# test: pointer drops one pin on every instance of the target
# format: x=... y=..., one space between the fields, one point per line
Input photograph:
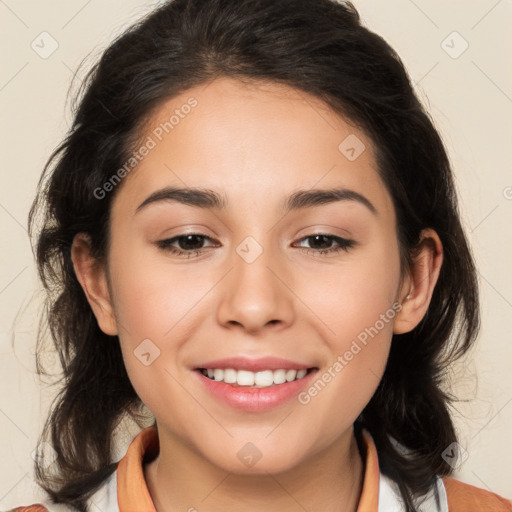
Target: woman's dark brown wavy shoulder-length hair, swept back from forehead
x=316 y=46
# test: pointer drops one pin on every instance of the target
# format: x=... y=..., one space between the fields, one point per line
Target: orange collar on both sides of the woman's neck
x=133 y=494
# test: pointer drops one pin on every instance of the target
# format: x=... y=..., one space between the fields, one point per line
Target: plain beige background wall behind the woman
x=469 y=97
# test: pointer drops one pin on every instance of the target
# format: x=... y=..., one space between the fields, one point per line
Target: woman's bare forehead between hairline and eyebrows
x=253 y=142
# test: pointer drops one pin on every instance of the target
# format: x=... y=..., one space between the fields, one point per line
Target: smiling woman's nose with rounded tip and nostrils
x=256 y=293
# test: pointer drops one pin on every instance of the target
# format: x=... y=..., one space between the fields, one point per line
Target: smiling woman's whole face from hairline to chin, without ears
x=278 y=284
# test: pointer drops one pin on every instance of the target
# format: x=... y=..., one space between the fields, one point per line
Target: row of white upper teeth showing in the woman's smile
x=263 y=379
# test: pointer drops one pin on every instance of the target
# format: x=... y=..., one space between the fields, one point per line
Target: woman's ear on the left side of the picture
x=92 y=277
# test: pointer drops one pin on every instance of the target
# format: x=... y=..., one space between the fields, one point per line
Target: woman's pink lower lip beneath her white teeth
x=255 y=399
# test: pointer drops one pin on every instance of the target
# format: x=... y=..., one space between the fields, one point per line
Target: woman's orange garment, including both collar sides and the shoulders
x=133 y=494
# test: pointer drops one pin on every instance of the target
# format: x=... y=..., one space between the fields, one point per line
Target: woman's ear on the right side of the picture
x=418 y=286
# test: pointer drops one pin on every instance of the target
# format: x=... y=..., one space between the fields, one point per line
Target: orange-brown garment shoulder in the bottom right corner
x=467 y=498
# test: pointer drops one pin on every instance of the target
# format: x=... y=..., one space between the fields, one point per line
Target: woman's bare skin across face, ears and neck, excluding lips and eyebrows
x=256 y=144
